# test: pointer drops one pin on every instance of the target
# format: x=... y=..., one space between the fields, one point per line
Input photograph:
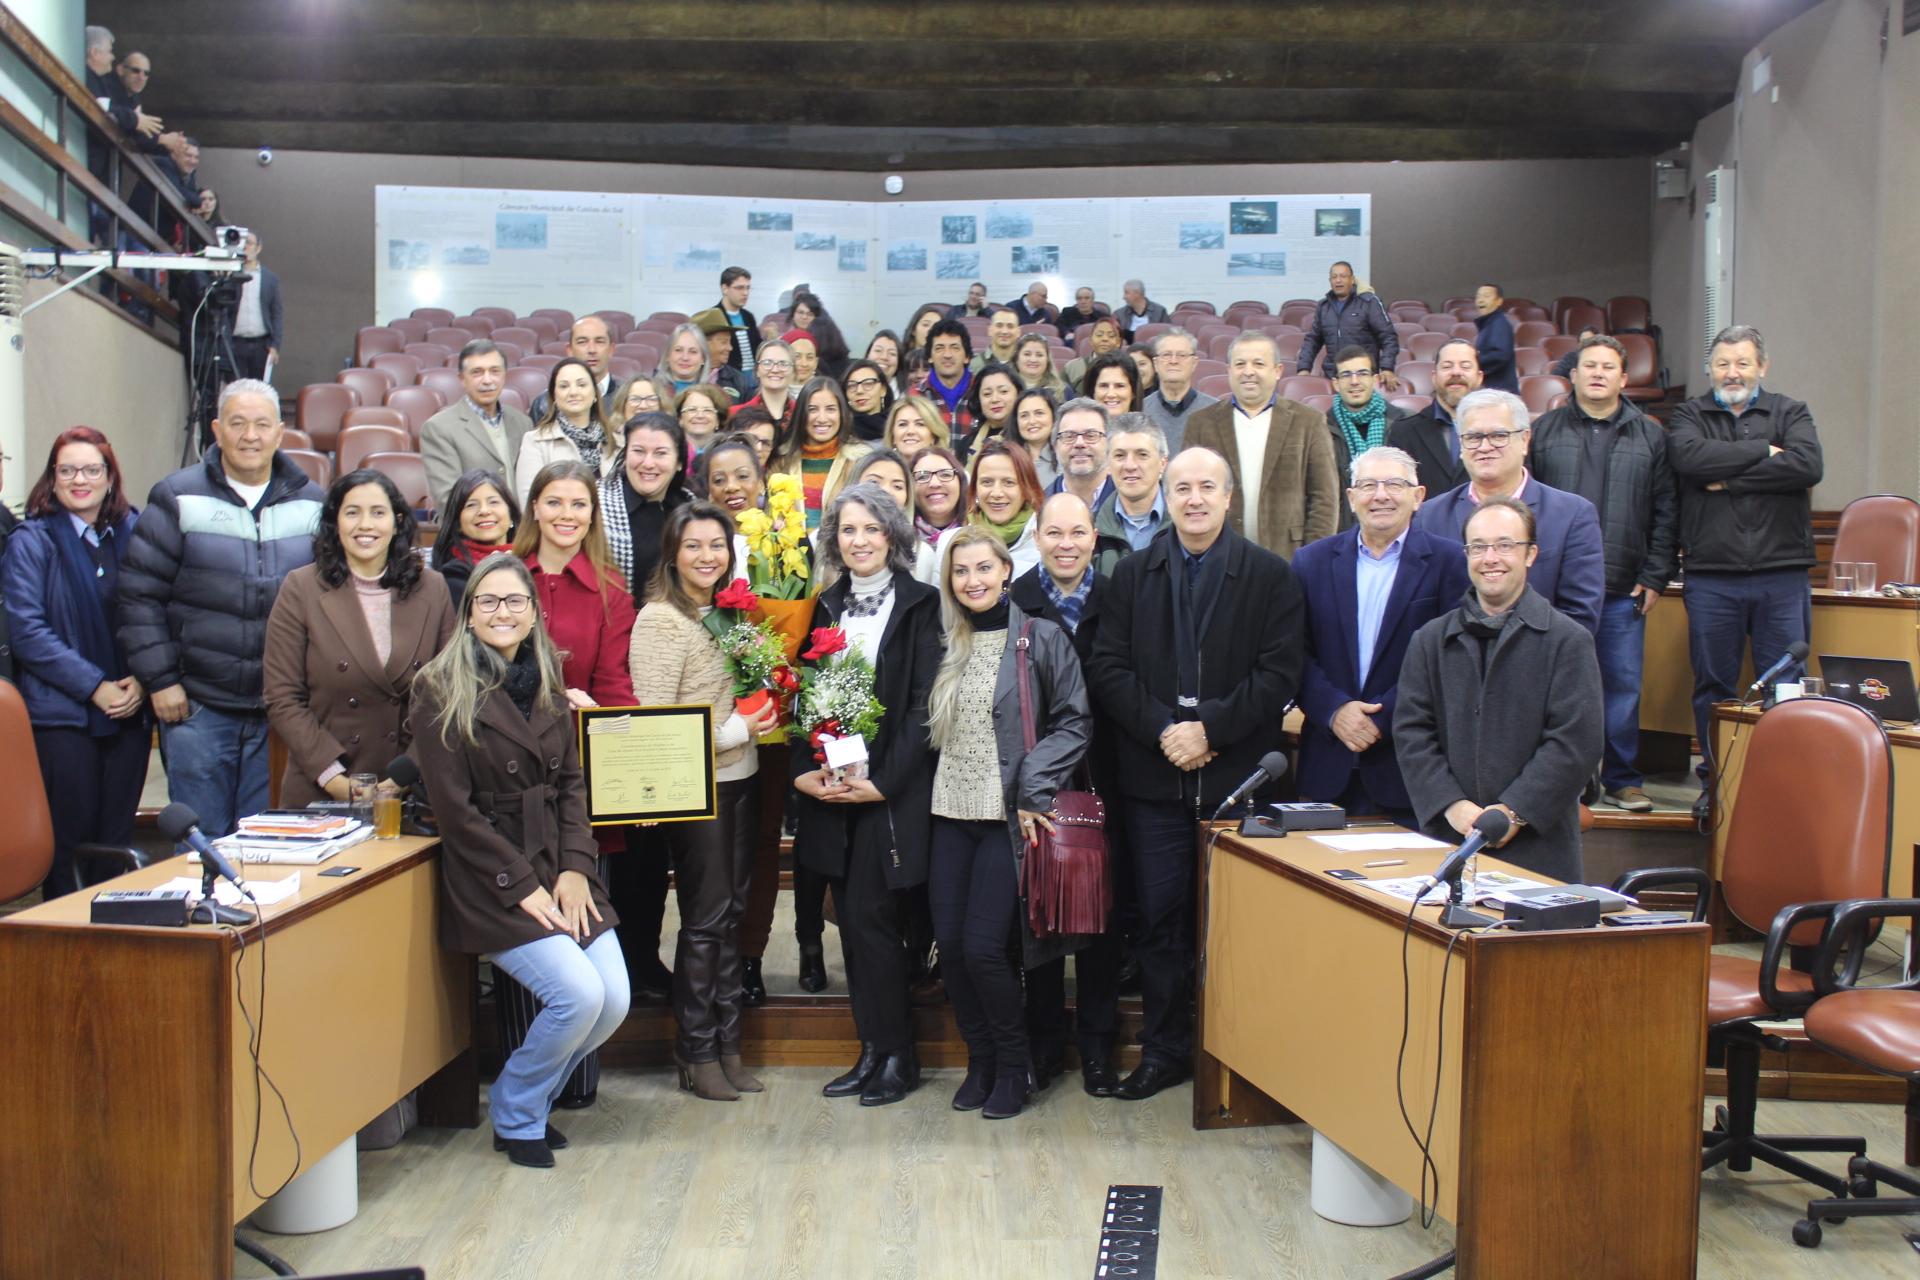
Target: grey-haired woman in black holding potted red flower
x=865 y=828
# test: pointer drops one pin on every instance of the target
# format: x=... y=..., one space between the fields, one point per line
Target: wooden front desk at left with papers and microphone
x=132 y=1108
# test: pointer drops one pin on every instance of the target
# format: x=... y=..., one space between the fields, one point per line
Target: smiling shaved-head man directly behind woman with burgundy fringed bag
x=1067 y=590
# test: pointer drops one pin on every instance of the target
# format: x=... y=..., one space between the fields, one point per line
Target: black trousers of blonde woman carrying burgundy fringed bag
x=974 y=895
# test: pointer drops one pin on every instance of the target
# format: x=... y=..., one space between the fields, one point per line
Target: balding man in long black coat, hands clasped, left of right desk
x=1203 y=640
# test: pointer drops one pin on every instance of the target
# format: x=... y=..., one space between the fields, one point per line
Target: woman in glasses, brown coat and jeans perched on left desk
x=519 y=872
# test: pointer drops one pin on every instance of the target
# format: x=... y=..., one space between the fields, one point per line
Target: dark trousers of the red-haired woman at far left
x=93 y=790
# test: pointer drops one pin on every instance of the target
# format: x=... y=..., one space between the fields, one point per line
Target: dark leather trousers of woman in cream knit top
x=713 y=876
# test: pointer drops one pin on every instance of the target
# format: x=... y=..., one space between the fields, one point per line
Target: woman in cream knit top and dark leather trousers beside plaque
x=677 y=659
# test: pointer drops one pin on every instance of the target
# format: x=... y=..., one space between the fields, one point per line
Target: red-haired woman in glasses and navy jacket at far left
x=87 y=711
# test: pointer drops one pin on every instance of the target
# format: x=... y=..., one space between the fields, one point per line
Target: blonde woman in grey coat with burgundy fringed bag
x=992 y=797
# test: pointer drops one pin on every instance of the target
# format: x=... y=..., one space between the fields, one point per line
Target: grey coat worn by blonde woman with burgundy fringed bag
x=1063 y=730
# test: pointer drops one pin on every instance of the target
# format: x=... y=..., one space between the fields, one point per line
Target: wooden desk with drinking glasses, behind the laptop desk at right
x=1860 y=627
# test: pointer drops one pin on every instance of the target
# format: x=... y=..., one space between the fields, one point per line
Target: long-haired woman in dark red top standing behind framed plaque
x=588 y=613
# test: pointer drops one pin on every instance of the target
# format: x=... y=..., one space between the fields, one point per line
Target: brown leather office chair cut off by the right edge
x=1877 y=1028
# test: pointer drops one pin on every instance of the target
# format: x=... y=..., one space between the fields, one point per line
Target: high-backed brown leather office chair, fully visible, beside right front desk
x=1788 y=868
